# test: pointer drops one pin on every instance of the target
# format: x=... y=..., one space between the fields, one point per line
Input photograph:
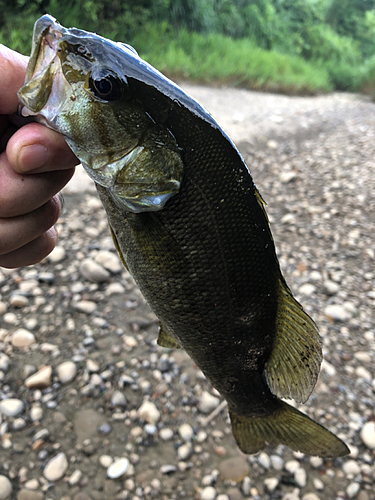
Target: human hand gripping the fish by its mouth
x=35 y=164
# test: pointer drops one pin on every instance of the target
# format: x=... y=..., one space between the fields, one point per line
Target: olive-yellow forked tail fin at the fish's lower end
x=286 y=426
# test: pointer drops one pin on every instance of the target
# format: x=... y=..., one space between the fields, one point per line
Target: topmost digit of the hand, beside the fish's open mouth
x=12 y=75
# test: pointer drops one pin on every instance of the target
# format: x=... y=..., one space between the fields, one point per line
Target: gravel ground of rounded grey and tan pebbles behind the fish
x=92 y=409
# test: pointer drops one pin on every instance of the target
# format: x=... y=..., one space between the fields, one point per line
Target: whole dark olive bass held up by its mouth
x=190 y=226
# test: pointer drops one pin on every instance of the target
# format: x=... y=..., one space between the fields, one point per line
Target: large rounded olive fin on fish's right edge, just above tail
x=293 y=366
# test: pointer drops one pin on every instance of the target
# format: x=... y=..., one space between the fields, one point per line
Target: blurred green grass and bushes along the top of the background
x=299 y=46
